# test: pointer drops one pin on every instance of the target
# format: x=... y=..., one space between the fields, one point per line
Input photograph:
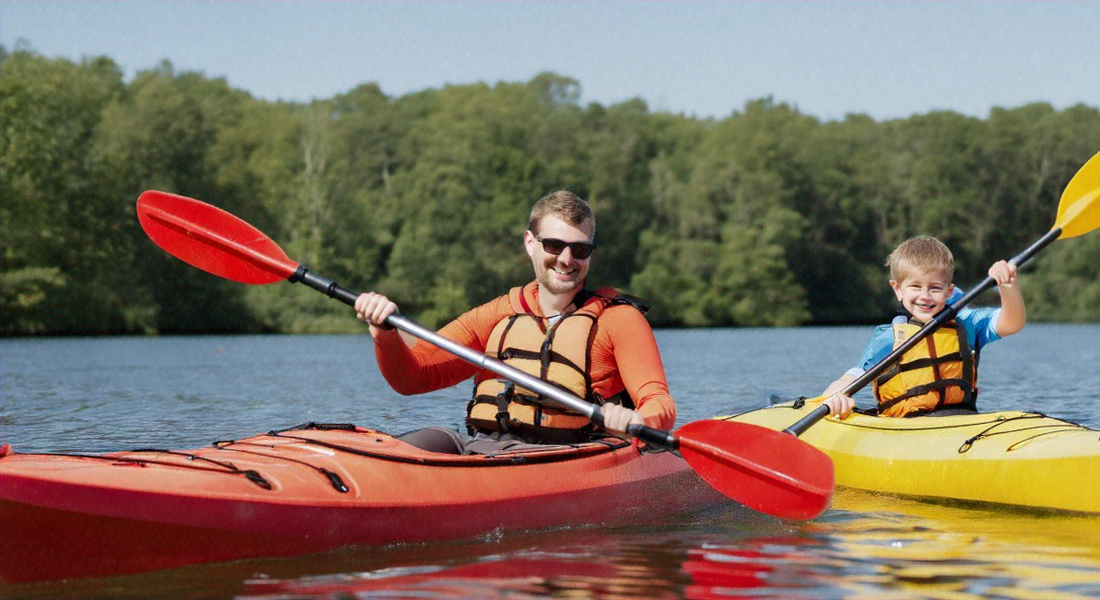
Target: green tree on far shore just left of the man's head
x=465 y=199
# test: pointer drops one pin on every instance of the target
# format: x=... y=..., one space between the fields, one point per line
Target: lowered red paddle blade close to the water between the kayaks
x=771 y=472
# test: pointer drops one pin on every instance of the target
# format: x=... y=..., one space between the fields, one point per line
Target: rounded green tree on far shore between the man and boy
x=739 y=219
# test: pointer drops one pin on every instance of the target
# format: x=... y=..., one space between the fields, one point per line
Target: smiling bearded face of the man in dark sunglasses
x=559 y=274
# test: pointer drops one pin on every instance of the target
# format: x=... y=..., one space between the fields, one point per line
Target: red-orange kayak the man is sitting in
x=307 y=490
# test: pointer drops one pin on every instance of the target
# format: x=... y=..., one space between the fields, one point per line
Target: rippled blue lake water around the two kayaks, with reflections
x=118 y=394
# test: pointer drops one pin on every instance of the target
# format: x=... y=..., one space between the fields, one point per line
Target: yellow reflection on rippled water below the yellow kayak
x=929 y=551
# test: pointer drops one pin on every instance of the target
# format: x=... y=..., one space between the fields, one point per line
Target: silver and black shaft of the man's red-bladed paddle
x=558 y=396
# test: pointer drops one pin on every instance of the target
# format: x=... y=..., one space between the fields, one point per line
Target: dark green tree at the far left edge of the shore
x=65 y=246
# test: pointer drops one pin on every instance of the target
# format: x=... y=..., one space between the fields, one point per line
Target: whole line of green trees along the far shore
x=768 y=217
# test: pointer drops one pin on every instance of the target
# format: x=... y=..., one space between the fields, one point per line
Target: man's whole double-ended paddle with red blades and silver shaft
x=762 y=468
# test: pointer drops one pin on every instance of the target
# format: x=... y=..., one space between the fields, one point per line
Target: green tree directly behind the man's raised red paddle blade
x=157 y=136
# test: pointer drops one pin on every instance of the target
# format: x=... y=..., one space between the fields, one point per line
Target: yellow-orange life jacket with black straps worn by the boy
x=941 y=372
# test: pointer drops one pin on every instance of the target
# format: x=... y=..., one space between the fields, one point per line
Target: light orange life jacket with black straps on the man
x=560 y=355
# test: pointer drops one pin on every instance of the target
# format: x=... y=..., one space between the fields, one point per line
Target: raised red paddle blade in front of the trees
x=212 y=239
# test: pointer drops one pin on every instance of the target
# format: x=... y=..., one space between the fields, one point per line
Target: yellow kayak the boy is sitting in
x=1015 y=459
